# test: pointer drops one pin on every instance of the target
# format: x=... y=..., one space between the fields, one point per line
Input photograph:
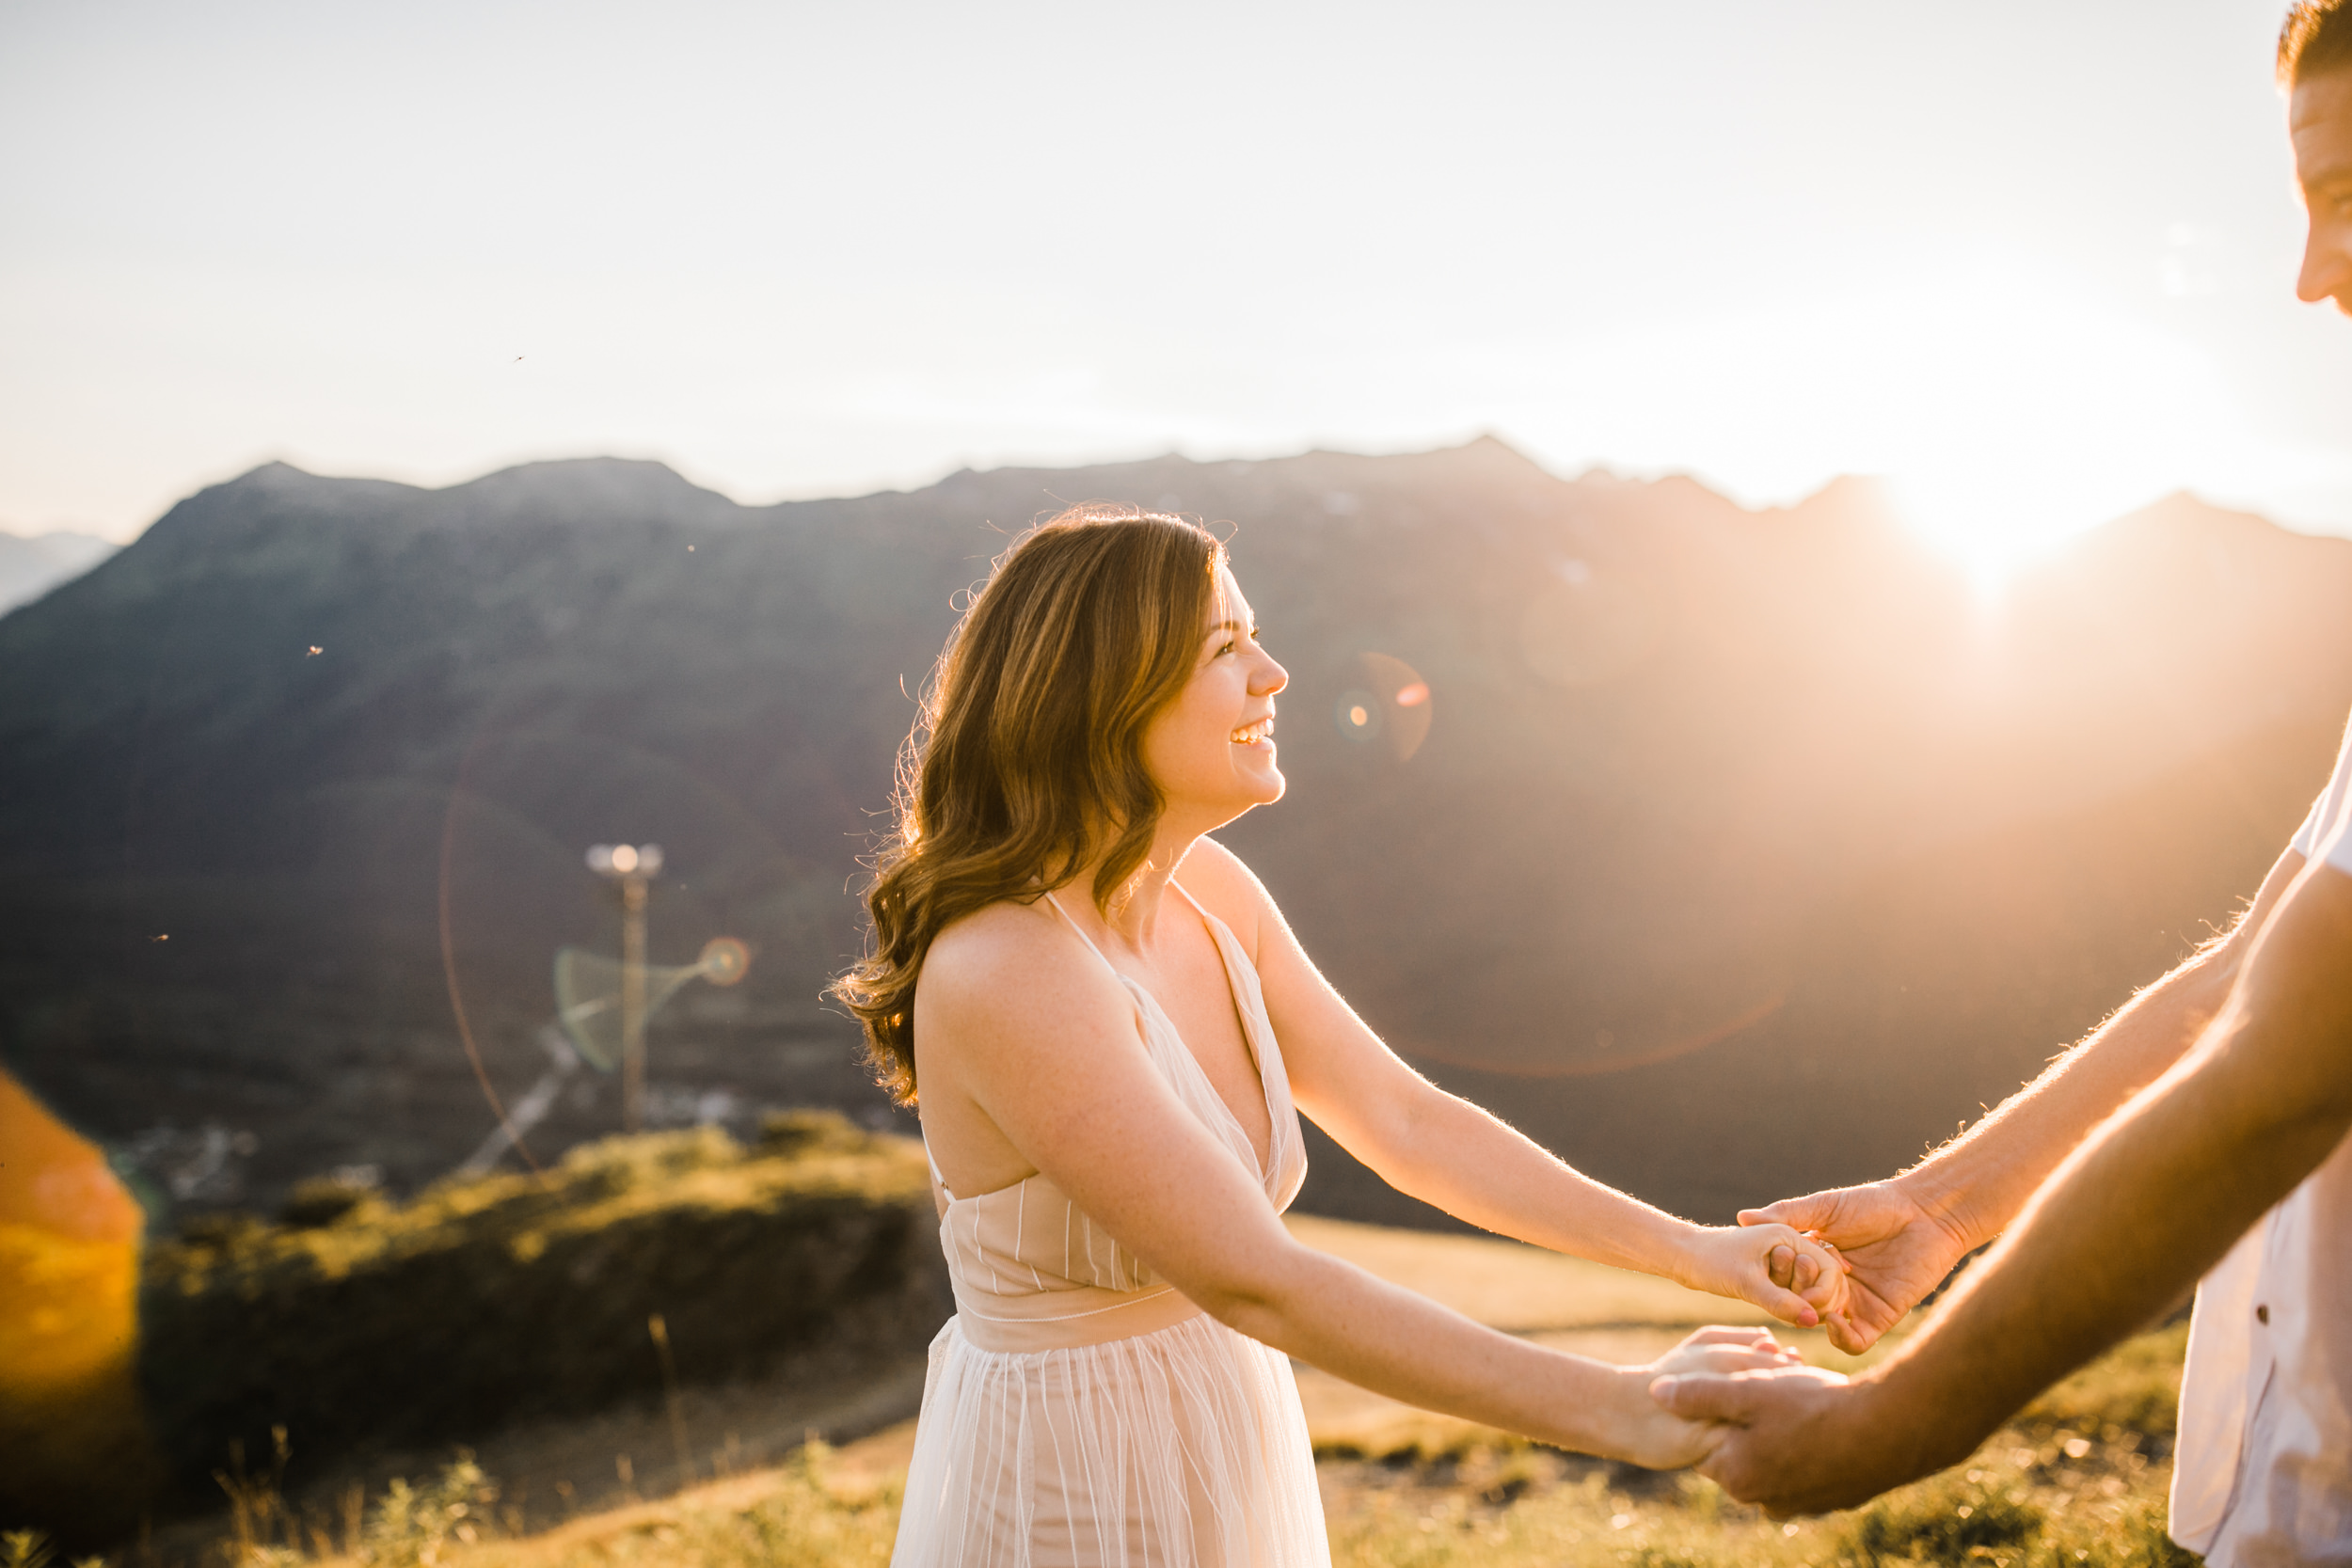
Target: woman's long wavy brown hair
x=1027 y=758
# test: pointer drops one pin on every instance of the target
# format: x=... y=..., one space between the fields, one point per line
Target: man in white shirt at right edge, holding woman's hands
x=2236 y=1090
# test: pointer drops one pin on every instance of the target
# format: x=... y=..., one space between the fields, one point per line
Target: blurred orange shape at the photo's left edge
x=69 y=1327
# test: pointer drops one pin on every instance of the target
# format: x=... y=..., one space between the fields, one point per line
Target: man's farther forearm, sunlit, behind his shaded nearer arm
x=1984 y=1179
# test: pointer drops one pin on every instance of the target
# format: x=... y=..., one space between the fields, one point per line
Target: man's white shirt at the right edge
x=2264 y=1470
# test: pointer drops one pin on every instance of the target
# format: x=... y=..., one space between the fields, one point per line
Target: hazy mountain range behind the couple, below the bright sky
x=1744 y=852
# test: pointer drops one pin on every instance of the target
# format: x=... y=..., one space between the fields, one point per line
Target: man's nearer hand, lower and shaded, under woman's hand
x=1798 y=1442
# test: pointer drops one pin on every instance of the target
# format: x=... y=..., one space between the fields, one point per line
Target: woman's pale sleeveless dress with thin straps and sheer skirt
x=1081 y=1412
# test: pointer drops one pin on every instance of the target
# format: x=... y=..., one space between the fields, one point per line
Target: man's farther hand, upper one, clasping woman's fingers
x=1895 y=1252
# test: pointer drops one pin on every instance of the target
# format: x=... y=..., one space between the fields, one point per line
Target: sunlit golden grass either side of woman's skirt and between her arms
x=2076 y=1482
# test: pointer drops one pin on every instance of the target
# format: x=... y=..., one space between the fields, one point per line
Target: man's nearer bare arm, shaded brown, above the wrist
x=2156 y=1198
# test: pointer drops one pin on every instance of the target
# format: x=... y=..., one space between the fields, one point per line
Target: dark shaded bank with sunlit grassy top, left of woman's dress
x=366 y=1325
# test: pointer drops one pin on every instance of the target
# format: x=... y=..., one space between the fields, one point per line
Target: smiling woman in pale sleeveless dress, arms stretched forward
x=1111 y=1026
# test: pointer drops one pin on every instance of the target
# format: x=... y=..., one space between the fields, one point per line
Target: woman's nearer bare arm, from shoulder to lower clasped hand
x=1022 y=1026
